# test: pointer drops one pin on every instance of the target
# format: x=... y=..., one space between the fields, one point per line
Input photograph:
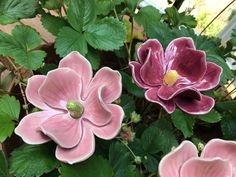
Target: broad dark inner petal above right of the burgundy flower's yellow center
x=190 y=64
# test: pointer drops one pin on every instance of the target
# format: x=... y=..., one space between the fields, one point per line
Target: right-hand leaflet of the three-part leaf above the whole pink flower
x=106 y=34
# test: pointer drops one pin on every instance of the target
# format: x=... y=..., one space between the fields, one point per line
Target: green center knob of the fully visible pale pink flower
x=75 y=108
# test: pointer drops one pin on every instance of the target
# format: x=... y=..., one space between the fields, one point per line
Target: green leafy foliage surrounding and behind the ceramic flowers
x=108 y=34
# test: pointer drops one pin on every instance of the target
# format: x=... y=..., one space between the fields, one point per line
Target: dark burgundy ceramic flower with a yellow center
x=177 y=76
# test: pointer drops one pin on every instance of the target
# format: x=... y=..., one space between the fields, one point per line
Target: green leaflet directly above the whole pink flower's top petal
x=69 y=40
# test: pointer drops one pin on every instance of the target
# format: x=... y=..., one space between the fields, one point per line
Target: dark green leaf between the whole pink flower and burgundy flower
x=131 y=87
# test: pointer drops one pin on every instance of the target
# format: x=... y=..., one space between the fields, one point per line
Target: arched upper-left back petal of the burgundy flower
x=153 y=45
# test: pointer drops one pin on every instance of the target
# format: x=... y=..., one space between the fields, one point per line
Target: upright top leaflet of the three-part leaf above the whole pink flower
x=81 y=13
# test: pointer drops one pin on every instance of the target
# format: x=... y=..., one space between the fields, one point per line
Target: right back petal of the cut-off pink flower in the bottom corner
x=223 y=149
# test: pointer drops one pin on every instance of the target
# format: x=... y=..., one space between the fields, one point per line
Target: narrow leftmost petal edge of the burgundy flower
x=135 y=68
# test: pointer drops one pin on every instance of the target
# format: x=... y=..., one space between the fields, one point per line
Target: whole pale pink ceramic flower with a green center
x=74 y=106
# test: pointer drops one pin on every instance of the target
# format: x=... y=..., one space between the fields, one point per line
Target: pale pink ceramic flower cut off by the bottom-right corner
x=217 y=160
